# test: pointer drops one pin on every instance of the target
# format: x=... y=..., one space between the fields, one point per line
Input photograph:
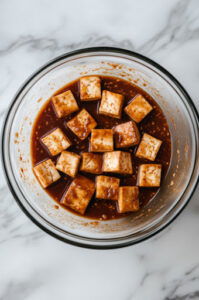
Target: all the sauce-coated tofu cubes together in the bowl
x=105 y=149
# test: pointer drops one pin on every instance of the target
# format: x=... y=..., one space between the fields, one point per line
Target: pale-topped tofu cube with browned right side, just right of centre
x=117 y=162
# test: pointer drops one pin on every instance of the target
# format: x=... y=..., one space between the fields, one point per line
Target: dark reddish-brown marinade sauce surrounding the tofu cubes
x=154 y=124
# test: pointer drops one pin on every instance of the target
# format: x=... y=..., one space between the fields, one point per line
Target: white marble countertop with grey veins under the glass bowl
x=36 y=266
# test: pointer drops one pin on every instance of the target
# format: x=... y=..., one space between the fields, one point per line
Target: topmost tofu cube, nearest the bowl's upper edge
x=90 y=88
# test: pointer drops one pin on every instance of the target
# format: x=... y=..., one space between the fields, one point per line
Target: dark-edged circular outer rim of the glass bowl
x=42 y=68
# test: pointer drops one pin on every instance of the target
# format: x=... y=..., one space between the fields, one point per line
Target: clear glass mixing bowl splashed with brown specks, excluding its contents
x=177 y=187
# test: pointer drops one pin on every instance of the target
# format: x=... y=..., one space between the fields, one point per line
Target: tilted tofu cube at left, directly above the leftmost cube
x=56 y=141
